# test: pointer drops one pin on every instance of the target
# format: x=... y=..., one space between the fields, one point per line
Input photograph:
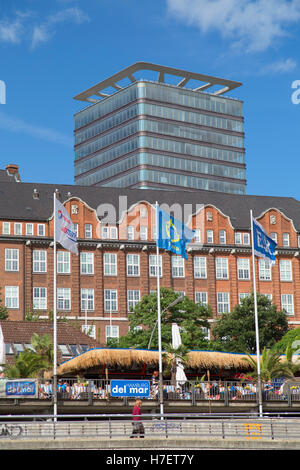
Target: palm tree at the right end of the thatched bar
x=271 y=366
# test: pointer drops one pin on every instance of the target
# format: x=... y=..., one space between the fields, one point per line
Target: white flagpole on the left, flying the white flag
x=54 y=316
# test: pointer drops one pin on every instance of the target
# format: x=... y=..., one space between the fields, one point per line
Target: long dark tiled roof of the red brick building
x=17 y=202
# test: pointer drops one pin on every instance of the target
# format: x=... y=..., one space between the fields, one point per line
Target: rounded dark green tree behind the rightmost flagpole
x=235 y=331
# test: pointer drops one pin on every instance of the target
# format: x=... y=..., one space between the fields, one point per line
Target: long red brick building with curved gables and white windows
x=117 y=265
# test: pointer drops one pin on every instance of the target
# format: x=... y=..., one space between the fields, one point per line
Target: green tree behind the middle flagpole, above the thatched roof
x=190 y=317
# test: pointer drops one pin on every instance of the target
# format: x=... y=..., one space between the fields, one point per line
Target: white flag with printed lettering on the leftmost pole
x=65 y=233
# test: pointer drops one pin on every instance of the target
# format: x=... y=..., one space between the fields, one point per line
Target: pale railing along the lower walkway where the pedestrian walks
x=155 y=426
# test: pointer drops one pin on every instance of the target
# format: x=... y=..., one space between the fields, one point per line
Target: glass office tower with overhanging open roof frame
x=150 y=134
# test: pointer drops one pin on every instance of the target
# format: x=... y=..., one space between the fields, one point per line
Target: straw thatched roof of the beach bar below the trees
x=126 y=357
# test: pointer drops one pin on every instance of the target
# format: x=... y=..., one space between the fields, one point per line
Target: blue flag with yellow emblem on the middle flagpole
x=172 y=235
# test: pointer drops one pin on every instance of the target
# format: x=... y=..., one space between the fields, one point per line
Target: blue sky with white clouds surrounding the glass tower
x=52 y=50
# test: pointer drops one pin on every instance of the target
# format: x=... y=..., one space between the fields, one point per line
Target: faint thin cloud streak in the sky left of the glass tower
x=12 y=124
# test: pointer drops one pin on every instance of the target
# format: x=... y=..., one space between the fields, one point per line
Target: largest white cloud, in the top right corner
x=252 y=25
